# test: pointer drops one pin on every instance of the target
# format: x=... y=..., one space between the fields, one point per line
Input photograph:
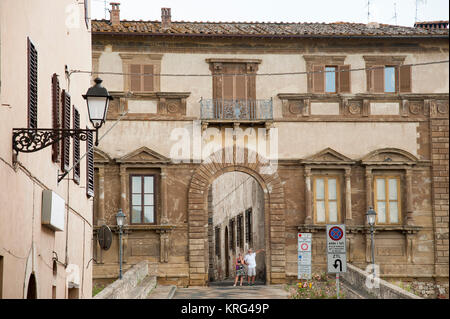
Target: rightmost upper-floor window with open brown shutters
x=387 y=74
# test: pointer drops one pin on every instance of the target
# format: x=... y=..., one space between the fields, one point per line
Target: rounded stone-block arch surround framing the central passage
x=221 y=162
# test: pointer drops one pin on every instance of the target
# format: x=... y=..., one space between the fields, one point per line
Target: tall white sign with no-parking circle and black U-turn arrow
x=336 y=249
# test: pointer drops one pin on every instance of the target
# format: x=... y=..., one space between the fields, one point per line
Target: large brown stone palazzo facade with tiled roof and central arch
x=329 y=119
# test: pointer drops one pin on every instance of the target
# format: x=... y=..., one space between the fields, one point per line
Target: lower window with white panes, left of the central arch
x=142 y=199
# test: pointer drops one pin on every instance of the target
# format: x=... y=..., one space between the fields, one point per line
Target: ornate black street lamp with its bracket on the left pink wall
x=29 y=140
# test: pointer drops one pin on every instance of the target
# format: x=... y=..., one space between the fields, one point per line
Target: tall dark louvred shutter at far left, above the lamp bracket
x=32 y=85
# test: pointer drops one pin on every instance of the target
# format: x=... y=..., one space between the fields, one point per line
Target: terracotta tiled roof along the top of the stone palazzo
x=263 y=29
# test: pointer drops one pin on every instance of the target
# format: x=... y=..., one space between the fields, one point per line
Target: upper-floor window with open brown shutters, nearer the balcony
x=328 y=74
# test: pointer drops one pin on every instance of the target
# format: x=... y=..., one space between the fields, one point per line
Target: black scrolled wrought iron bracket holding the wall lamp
x=29 y=140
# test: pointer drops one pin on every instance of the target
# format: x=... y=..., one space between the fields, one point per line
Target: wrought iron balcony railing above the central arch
x=219 y=109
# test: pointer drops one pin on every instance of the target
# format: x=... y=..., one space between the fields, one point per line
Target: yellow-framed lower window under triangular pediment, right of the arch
x=326 y=199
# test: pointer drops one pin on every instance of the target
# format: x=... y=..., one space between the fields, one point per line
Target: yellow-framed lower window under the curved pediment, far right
x=387 y=199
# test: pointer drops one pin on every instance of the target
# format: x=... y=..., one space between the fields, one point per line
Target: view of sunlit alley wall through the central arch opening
x=236 y=223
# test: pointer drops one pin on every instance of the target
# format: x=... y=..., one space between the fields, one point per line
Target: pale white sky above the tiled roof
x=279 y=10
